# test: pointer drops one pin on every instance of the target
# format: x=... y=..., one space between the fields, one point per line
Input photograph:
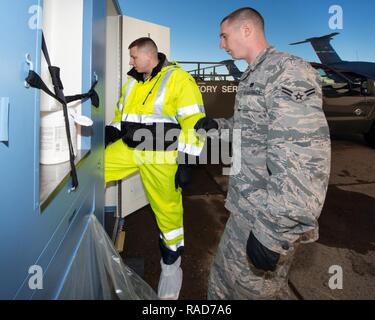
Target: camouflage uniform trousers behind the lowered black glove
x=233 y=276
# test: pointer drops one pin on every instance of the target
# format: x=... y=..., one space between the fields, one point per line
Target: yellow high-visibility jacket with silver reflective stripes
x=169 y=96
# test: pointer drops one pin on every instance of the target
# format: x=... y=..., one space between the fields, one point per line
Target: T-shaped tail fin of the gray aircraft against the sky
x=322 y=46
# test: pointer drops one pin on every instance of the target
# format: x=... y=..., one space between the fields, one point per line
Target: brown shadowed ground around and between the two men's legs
x=347 y=232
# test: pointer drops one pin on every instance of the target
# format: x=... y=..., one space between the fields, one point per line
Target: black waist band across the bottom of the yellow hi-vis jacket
x=151 y=137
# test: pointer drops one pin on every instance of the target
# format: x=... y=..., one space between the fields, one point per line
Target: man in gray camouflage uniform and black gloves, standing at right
x=277 y=195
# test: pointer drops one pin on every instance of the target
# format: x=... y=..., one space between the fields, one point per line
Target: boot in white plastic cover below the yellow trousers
x=170 y=281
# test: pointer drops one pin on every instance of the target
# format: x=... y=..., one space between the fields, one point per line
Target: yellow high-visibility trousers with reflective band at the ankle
x=157 y=170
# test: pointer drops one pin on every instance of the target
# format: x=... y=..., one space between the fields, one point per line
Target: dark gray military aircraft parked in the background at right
x=328 y=56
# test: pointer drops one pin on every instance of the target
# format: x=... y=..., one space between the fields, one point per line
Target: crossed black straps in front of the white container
x=34 y=80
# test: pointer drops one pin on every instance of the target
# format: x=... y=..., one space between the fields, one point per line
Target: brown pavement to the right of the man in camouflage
x=347 y=230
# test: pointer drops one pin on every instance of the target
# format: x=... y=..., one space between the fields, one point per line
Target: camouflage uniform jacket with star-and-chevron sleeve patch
x=284 y=153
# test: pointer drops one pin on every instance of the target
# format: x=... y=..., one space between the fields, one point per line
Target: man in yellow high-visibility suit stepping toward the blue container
x=153 y=127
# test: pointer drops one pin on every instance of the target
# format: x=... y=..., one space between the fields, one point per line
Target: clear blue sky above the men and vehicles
x=194 y=25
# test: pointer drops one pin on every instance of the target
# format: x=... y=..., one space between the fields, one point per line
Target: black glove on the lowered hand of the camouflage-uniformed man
x=261 y=257
